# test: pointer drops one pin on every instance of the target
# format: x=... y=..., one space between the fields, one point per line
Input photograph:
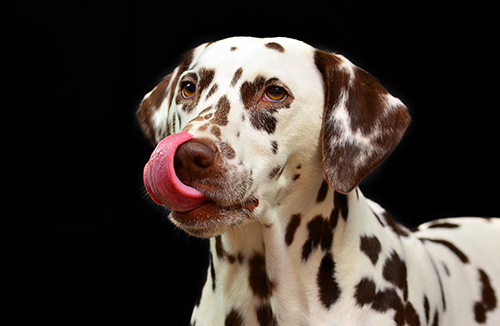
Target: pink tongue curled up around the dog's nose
x=162 y=183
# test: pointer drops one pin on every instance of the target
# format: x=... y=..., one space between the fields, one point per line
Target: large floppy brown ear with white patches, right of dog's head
x=362 y=122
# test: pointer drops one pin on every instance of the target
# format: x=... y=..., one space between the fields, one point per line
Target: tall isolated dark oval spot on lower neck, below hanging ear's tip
x=329 y=290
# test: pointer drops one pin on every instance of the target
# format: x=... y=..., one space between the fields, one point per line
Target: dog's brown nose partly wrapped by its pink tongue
x=193 y=160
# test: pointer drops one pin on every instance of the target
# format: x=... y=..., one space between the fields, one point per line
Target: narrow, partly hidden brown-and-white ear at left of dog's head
x=153 y=112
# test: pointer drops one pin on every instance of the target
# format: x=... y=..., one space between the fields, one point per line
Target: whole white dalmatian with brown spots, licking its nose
x=260 y=146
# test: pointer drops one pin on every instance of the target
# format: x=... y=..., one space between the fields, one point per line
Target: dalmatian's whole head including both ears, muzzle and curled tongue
x=263 y=116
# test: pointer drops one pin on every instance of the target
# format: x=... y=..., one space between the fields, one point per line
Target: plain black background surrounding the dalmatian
x=108 y=255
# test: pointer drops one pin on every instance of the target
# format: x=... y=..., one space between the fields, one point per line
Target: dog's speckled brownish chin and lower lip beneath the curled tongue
x=211 y=219
